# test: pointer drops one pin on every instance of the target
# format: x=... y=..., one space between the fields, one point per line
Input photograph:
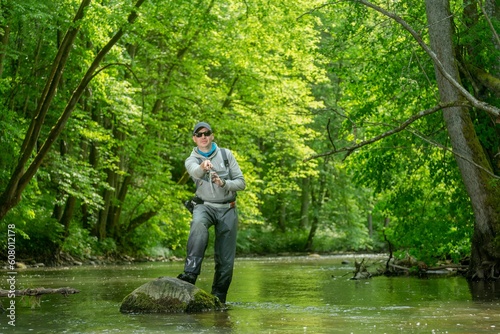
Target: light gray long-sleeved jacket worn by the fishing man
x=209 y=191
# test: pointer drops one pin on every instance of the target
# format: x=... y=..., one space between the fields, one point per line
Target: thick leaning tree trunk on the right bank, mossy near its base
x=475 y=169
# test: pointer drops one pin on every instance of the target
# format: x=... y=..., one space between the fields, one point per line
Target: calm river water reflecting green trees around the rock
x=268 y=295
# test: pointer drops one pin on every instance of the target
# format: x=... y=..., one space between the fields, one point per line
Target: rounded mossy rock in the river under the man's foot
x=169 y=295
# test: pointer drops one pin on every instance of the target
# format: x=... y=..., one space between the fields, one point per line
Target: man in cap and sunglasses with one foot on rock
x=218 y=177
